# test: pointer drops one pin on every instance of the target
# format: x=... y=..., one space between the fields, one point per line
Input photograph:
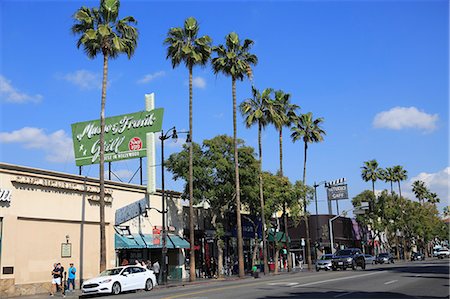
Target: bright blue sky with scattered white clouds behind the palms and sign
x=376 y=71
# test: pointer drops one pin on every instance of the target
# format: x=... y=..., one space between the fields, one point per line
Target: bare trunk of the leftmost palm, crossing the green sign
x=102 y=167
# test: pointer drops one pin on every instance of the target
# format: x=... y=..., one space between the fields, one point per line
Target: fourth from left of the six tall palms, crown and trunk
x=258 y=110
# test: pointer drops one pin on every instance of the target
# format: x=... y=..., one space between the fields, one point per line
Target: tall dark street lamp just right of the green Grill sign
x=171 y=133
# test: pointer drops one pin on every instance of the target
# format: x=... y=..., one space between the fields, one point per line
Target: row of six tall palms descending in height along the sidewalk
x=102 y=32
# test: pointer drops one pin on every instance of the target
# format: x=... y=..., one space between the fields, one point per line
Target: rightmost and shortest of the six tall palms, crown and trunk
x=309 y=130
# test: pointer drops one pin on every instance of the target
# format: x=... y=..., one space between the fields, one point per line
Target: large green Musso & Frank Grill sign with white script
x=125 y=136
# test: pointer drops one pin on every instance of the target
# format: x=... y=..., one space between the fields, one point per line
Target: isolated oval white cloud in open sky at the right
x=405 y=117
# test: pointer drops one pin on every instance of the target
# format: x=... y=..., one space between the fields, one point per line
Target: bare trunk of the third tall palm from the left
x=238 y=189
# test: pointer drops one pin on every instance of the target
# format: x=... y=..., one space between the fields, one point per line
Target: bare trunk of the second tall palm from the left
x=191 y=188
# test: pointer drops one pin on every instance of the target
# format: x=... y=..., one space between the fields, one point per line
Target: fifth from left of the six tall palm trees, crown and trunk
x=285 y=117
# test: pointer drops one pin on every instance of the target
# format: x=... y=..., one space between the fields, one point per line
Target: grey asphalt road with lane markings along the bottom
x=427 y=279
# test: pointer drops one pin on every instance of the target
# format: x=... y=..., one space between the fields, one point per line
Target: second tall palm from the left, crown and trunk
x=184 y=46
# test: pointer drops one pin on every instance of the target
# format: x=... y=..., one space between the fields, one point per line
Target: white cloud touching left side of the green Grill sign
x=57 y=146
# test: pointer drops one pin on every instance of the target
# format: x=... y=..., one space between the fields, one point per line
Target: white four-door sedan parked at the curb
x=120 y=279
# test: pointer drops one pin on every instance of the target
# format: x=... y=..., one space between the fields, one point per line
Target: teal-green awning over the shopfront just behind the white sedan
x=137 y=241
